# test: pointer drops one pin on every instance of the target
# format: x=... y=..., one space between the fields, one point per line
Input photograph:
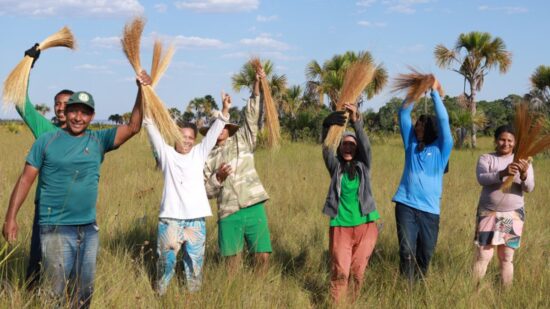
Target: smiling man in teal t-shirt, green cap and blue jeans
x=68 y=162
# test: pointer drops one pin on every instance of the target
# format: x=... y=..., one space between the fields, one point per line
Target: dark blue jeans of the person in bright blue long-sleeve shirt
x=417 y=234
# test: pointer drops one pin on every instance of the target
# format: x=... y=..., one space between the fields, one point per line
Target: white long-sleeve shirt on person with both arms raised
x=184 y=195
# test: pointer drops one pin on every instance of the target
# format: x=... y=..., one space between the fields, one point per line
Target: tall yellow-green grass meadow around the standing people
x=297 y=181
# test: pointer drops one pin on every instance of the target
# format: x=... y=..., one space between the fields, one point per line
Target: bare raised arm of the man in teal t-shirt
x=126 y=131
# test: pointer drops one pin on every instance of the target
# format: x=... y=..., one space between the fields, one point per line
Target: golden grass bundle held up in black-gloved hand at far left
x=15 y=85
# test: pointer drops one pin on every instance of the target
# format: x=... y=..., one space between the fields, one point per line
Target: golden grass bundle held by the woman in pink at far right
x=530 y=138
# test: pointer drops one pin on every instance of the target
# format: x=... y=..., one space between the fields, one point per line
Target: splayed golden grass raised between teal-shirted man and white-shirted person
x=153 y=105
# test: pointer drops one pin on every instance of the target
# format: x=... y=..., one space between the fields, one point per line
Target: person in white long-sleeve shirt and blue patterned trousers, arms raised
x=184 y=203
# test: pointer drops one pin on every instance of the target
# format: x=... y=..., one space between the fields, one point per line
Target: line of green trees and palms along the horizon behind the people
x=302 y=109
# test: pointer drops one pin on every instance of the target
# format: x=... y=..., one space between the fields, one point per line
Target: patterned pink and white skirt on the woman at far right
x=499 y=228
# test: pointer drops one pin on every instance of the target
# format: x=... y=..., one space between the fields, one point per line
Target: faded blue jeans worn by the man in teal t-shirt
x=69 y=259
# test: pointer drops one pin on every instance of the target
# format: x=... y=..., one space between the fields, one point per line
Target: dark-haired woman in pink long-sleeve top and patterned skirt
x=500 y=215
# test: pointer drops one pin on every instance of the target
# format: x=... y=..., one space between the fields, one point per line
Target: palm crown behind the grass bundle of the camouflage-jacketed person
x=247 y=76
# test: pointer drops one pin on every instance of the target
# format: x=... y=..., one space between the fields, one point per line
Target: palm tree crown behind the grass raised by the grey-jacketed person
x=329 y=78
